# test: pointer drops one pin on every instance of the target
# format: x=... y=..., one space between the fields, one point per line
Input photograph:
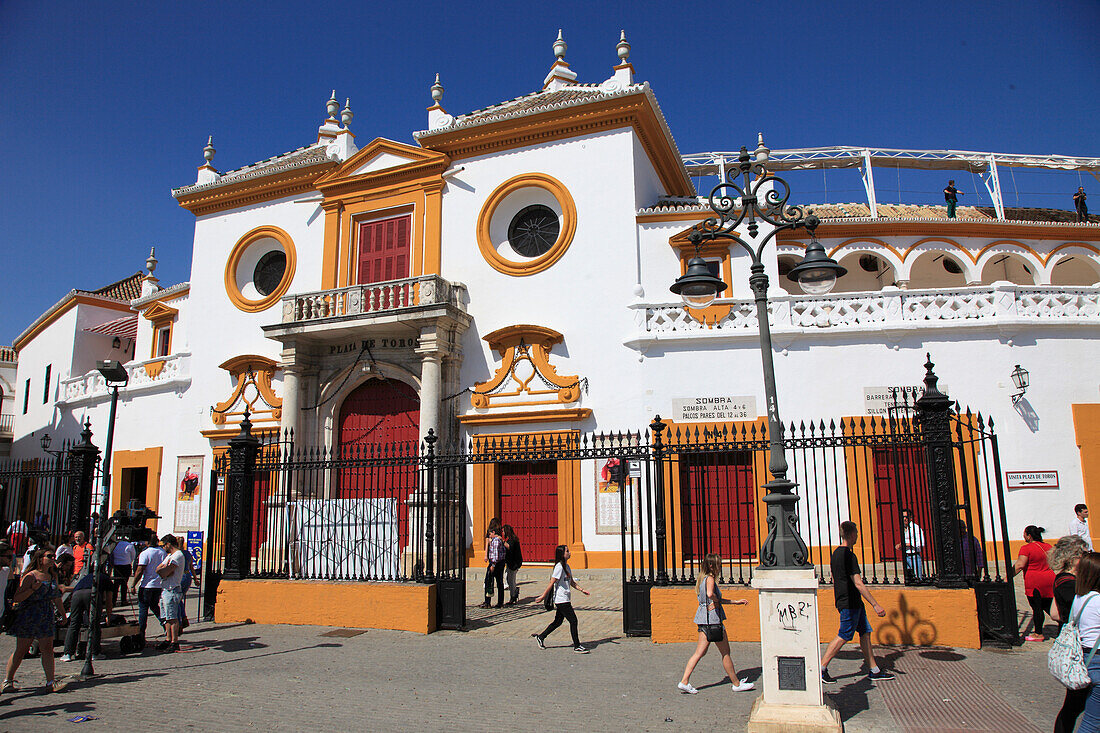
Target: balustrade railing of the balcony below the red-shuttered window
x=372 y=299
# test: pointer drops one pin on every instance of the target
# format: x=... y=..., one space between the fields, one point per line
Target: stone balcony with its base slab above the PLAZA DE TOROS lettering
x=327 y=315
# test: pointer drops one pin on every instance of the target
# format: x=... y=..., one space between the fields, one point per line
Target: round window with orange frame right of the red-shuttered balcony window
x=526 y=225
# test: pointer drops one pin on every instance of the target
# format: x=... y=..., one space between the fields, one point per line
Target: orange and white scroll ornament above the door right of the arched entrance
x=526 y=376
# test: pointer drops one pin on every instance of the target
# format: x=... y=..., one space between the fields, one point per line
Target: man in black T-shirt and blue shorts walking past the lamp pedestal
x=850 y=592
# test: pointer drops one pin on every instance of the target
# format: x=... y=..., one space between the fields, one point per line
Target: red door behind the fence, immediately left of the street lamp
x=718 y=506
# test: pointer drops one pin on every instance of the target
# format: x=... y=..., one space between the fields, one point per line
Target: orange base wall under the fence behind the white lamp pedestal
x=921 y=617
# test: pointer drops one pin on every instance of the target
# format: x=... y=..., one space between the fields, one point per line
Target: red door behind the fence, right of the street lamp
x=900 y=483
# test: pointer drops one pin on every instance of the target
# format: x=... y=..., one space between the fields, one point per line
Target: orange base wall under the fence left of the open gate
x=400 y=607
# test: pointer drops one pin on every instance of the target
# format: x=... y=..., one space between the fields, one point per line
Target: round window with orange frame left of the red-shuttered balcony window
x=260 y=269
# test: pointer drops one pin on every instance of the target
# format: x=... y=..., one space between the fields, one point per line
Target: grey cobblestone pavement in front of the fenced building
x=238 y=677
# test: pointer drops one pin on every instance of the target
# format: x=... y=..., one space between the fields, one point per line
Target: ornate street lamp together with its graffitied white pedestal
x=749 y=198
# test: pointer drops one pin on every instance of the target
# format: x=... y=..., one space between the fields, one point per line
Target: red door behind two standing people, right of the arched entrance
x=530 y=504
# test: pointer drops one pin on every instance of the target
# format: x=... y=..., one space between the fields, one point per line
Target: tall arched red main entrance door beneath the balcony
x=380 y=426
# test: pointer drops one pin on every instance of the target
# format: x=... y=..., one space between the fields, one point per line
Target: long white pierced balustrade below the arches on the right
x=890 y=314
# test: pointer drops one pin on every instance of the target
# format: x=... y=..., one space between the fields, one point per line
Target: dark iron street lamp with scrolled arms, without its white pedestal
x=762 y=198
